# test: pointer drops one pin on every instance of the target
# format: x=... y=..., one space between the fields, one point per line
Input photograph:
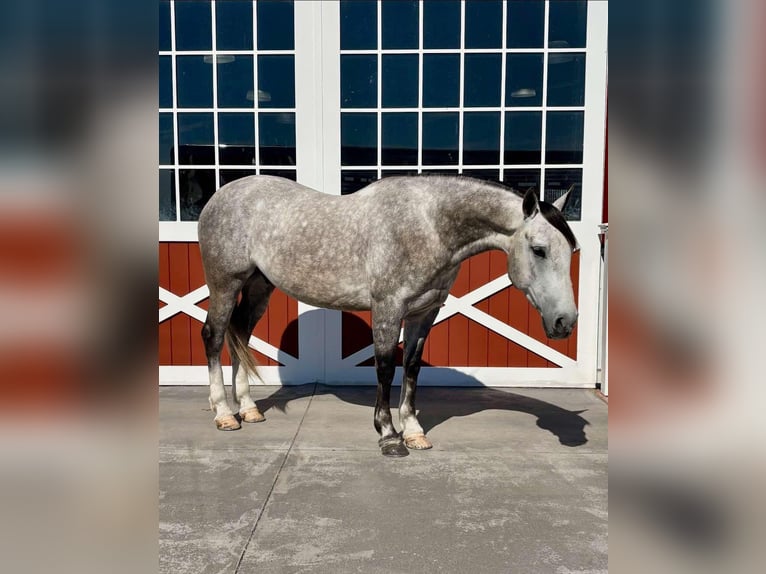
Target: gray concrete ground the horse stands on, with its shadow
x=516 y=482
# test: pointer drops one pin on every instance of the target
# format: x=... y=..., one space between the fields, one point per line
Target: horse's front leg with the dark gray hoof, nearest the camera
x=386 y=322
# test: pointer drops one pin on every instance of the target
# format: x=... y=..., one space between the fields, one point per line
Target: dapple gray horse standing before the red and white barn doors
x=394 y=248
